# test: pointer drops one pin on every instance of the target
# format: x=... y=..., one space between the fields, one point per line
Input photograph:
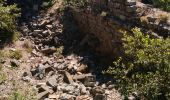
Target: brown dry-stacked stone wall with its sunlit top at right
x=106 y=19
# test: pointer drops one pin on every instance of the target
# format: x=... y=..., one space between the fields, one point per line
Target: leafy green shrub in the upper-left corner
x=8 y=16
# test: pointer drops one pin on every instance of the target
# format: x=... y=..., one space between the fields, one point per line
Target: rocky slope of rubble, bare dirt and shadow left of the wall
x=55 y=63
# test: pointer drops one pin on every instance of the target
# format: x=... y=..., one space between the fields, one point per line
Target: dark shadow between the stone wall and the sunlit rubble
x=72 y=45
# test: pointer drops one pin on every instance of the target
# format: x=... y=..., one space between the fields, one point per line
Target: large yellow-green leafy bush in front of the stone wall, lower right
x=144 y=70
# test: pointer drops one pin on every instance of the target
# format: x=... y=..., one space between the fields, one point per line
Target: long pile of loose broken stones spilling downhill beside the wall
x=59 y=77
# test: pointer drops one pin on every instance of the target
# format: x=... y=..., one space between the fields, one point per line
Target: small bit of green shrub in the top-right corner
x=164 y=4
